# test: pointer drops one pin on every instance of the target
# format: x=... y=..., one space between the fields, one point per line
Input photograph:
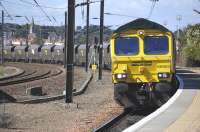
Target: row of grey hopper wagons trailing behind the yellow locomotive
x=54 y=54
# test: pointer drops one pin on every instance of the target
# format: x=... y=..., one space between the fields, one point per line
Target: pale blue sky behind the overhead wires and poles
x=165 y=11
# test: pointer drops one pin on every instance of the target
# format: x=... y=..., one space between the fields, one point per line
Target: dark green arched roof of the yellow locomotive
x=141 y=24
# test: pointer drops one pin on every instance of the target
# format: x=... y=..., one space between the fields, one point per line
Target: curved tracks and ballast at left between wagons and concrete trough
x=49 y=77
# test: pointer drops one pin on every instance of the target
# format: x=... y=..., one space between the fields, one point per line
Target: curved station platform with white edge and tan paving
x=181 y=113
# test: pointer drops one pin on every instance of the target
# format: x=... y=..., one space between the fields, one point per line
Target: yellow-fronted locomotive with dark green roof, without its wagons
x=143 y=63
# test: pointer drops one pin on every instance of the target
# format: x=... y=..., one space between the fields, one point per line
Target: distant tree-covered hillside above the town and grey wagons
x=20 y=31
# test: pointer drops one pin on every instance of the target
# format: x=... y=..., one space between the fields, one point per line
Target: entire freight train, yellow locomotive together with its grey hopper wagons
x=141 y=55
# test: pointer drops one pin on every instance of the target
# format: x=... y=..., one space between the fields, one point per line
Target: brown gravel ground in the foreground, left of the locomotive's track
x=88 y=111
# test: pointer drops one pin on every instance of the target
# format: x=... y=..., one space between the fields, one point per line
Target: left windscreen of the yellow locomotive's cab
x=126 y=46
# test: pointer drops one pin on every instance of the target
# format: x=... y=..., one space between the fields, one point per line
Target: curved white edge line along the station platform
x=150 y=117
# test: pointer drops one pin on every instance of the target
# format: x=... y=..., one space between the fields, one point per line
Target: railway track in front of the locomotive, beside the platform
x=127 y=118
